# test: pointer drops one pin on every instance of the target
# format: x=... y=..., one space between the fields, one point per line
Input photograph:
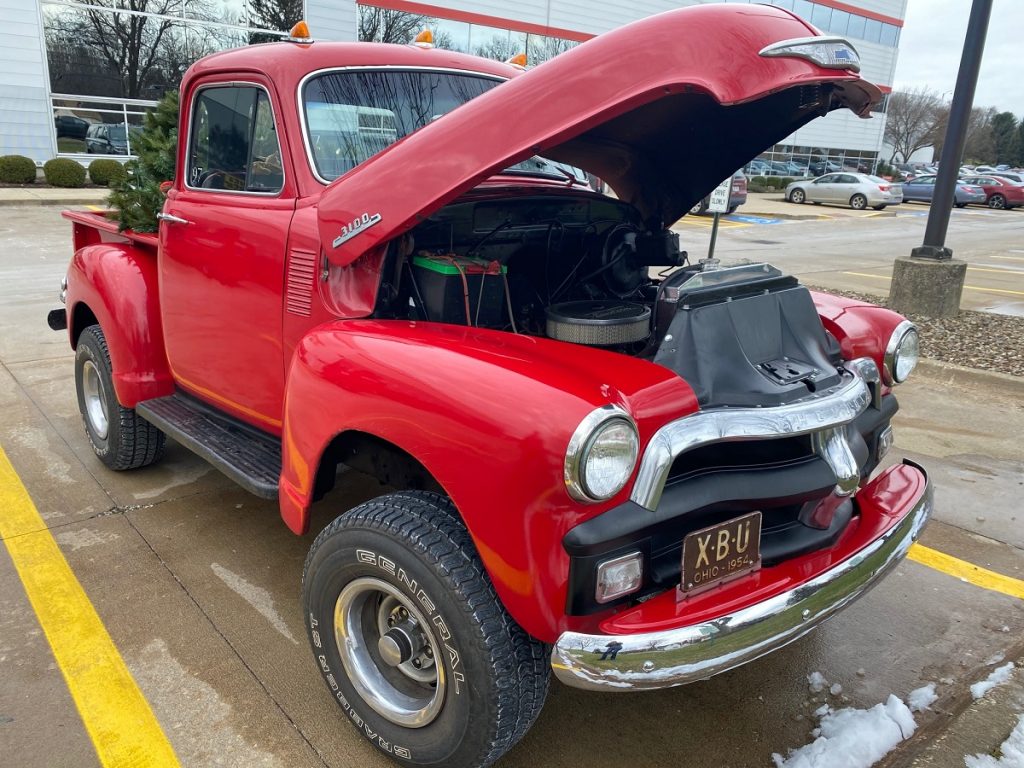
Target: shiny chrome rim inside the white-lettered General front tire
x=389 y=653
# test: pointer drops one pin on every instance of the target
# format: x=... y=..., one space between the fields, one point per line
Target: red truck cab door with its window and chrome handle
x=224 y=234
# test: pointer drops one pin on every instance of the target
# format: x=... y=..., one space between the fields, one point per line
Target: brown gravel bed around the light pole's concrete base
x=983 y=340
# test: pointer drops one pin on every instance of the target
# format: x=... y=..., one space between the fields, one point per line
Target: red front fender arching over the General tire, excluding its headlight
x=490 y=416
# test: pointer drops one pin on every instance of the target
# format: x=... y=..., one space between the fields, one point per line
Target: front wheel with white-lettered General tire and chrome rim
x=412 y=639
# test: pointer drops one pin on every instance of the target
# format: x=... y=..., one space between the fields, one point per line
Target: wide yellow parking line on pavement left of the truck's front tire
x=117 y=717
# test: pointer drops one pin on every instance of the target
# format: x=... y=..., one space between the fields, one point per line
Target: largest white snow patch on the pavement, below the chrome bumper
x=855 y=739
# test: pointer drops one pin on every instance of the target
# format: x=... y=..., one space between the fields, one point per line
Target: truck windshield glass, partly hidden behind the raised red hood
x=352 y=116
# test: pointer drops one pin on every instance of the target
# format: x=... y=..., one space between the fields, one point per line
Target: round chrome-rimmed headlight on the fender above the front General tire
x=602 y=455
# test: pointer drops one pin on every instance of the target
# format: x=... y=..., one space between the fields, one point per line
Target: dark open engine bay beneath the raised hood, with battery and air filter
x=572 y=267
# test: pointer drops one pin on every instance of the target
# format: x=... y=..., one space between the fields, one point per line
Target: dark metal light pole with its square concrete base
x=930 y=282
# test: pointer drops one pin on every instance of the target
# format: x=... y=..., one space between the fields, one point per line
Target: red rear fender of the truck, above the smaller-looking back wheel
x=118 y=283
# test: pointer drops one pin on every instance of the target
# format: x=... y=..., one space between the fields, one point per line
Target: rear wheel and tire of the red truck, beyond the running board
x=119 y=437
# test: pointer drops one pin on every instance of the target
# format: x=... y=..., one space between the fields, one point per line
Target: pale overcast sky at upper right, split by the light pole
x=932 y=42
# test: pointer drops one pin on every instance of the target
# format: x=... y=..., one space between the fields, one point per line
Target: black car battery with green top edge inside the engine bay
x=461 y=290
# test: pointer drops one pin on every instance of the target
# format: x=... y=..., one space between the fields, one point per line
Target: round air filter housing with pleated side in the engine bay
x=601 y=324
